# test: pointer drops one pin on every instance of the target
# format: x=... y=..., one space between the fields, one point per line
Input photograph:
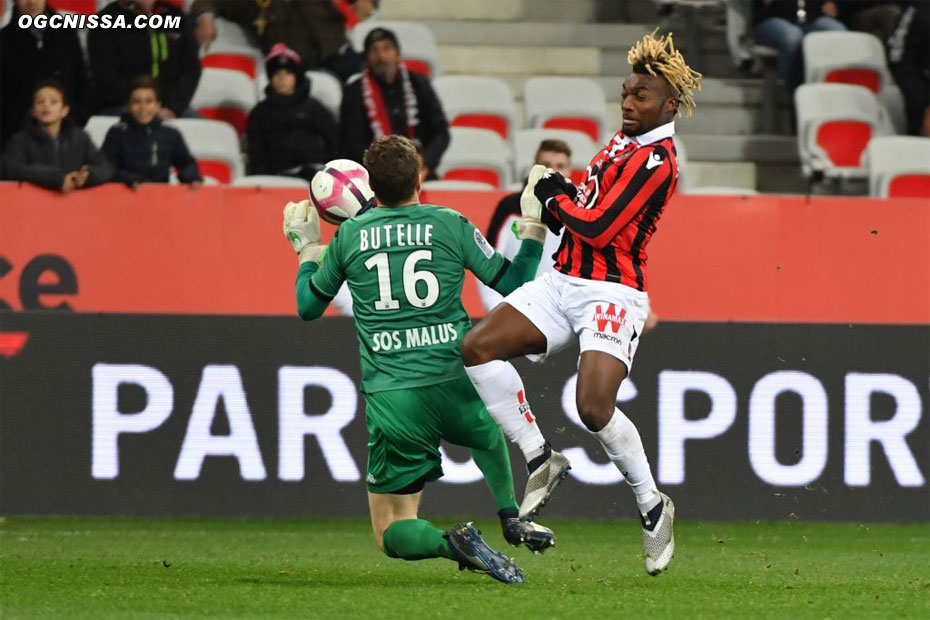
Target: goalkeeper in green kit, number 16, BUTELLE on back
x=405 y=264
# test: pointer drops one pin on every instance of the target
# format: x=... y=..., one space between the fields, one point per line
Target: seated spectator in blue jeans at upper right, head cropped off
x=782 y=24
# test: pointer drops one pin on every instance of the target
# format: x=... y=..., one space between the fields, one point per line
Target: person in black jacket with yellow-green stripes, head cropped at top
x=169 y=56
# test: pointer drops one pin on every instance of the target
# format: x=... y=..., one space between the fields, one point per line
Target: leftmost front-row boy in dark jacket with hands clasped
x=50 y=150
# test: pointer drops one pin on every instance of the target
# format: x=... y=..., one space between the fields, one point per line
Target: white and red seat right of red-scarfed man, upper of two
x=477 y=101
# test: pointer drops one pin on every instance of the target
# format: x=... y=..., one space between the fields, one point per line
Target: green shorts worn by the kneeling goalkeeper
x=405 y=427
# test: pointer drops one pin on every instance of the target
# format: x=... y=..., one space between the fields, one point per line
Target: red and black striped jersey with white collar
x=614 y=214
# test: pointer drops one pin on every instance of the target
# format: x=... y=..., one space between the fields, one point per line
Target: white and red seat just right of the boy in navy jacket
x=214 y=144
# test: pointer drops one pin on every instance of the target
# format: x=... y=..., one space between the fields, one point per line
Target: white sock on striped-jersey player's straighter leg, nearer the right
x=624 y=447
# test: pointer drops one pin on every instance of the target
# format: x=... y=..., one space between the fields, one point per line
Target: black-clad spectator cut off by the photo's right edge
x=909 y=59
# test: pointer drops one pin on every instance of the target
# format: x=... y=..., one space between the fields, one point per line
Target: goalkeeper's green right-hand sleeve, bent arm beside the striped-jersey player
x=492 y=268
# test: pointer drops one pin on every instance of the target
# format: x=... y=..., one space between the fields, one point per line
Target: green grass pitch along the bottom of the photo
x=147 y=568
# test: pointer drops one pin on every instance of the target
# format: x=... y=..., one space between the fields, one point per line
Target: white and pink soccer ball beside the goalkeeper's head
x=340 y=190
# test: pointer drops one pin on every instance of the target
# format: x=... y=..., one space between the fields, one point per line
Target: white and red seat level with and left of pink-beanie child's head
x=225 y=95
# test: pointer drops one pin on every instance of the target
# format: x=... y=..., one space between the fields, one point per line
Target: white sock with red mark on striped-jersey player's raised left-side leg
x=500 y=387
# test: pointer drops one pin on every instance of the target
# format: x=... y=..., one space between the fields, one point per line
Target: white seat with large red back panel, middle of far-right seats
x=835 y=123
